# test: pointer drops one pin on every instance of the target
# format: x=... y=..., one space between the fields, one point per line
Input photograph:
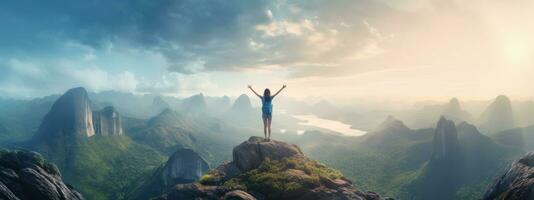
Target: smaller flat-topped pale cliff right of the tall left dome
x=107 y=122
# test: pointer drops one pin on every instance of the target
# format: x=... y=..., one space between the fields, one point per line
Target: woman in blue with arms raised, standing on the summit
x=267 y=109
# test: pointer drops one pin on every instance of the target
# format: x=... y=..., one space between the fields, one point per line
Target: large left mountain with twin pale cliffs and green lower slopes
x=94 y=155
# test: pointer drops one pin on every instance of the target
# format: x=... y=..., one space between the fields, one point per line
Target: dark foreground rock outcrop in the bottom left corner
x=25 y=175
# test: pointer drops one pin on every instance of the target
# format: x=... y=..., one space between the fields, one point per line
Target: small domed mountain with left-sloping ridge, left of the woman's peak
x=184 y=166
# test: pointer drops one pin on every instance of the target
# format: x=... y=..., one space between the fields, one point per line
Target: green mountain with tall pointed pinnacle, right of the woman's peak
x=462 y=164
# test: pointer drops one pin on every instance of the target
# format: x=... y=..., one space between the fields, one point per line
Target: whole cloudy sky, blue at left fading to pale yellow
x=339 y=49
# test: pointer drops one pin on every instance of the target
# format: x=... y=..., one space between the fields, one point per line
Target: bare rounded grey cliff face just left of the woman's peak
x=184 y=166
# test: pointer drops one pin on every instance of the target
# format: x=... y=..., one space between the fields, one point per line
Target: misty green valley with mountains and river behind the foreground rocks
x=106 y=154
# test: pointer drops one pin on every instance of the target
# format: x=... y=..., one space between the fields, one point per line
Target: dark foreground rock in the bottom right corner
x=517 y=183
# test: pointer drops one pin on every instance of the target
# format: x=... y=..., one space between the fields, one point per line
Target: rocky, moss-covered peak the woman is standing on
x=270 y=170
